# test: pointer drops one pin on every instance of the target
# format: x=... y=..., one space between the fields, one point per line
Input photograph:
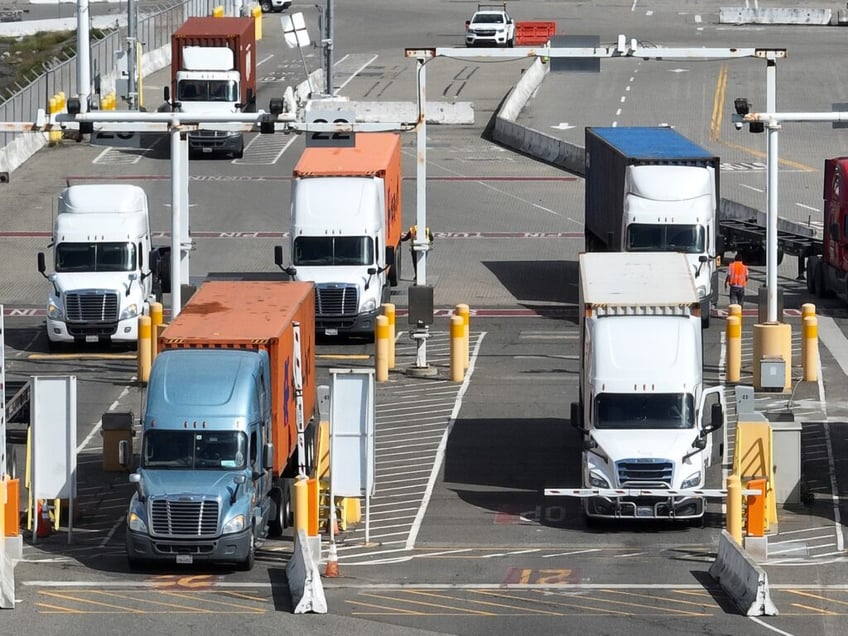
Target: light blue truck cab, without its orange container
x=205 y=466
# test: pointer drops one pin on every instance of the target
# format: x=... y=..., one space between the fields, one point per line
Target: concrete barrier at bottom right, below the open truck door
x=741 y=578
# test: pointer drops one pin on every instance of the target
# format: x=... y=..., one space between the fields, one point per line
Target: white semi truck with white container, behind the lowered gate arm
x=643 y=409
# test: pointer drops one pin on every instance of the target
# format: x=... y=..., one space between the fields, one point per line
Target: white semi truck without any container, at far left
x=103 y=277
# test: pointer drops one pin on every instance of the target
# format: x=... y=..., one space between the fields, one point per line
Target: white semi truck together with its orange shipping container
x=345 y=230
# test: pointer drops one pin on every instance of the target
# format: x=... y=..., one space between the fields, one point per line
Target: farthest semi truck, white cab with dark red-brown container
x=213 y=70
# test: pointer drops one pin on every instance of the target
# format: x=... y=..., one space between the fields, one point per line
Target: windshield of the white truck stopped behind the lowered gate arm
x=644 y=411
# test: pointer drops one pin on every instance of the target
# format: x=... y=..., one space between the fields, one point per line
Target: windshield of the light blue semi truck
x=193 y=449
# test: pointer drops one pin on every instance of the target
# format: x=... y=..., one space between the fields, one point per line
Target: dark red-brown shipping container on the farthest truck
x=239 y=34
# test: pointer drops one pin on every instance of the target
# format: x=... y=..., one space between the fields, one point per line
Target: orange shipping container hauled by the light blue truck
x=257 y=315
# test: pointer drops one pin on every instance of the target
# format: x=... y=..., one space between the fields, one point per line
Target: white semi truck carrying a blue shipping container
x=650 y=189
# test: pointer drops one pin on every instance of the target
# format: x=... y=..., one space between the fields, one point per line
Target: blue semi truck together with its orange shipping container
x=221 y=441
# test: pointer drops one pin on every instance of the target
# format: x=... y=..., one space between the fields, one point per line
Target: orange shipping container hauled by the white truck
x=375 y=155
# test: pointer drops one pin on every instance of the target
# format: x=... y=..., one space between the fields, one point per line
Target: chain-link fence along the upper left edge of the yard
x=155 y=26
